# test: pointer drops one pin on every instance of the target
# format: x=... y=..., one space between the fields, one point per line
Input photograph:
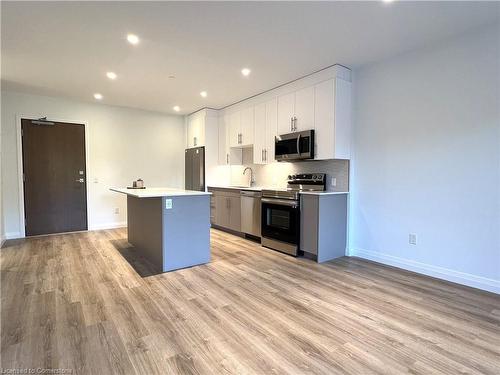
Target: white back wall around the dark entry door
x=123 y=145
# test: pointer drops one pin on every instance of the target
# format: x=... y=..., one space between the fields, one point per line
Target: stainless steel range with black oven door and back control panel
x=281 y=212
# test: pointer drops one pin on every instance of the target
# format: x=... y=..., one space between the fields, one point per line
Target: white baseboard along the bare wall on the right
x=458 y=277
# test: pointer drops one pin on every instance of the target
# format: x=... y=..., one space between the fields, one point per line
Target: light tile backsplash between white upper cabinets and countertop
x=275 y=174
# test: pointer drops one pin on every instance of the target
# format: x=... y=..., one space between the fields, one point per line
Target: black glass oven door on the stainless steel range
x=281 y=220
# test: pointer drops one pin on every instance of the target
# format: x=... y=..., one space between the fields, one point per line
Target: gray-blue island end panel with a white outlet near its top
x=186 y=231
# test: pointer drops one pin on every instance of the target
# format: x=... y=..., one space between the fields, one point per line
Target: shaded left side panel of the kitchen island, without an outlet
x=144 y=221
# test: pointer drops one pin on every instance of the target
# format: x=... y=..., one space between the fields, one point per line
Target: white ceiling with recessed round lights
x=65 y=49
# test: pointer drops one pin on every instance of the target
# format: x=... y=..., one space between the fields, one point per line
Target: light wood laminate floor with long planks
x=74 y=301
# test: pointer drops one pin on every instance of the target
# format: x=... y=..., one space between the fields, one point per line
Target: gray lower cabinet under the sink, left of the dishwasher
x=225 y=210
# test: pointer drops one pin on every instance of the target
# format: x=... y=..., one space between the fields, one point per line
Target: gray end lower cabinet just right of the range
x=323 y=225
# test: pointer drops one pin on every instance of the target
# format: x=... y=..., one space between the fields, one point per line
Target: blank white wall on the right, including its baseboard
x=426 y=160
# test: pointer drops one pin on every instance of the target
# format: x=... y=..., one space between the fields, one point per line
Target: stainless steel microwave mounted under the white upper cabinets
x=294 y=146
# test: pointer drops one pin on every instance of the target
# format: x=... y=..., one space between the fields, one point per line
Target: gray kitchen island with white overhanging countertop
x=170 y=227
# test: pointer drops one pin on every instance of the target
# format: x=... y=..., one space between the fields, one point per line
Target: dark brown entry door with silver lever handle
x=55 y=198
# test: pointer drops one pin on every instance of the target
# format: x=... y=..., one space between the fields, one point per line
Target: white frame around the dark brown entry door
x=19 y=117
